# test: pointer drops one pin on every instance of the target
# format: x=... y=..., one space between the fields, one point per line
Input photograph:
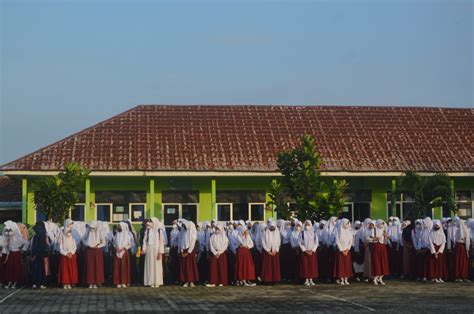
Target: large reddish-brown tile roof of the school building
x=247 y=138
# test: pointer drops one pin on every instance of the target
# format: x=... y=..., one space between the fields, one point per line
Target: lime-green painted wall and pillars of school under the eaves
x=153 y=186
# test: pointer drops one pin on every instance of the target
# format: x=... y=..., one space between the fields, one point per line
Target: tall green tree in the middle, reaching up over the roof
x=314 y=197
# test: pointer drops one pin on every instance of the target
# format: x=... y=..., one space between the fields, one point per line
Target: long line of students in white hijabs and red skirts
x=238 y=252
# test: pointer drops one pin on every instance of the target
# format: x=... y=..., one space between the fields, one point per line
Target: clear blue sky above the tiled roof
x=66 y=65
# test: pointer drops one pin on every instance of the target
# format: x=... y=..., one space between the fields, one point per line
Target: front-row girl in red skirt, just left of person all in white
x=122 y=242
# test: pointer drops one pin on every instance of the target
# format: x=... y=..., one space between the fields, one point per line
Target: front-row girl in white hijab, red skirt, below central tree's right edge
x=343 y=262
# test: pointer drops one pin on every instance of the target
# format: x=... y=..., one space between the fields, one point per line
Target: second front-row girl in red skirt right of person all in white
x=218 y=245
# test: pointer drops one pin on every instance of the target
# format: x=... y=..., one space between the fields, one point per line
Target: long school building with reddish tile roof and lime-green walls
x=217 y=162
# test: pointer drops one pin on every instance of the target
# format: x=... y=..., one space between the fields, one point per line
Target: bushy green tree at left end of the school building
x=55 y=195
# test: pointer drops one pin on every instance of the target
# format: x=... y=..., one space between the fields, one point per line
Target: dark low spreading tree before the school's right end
x=428 y=192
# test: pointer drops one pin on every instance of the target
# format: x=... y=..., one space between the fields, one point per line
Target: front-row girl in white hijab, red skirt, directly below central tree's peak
x=308 y=243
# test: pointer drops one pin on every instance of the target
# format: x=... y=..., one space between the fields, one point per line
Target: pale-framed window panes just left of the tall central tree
x=241 y=211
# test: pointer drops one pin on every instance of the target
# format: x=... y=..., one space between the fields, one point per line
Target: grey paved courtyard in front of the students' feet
x=397 y=296
